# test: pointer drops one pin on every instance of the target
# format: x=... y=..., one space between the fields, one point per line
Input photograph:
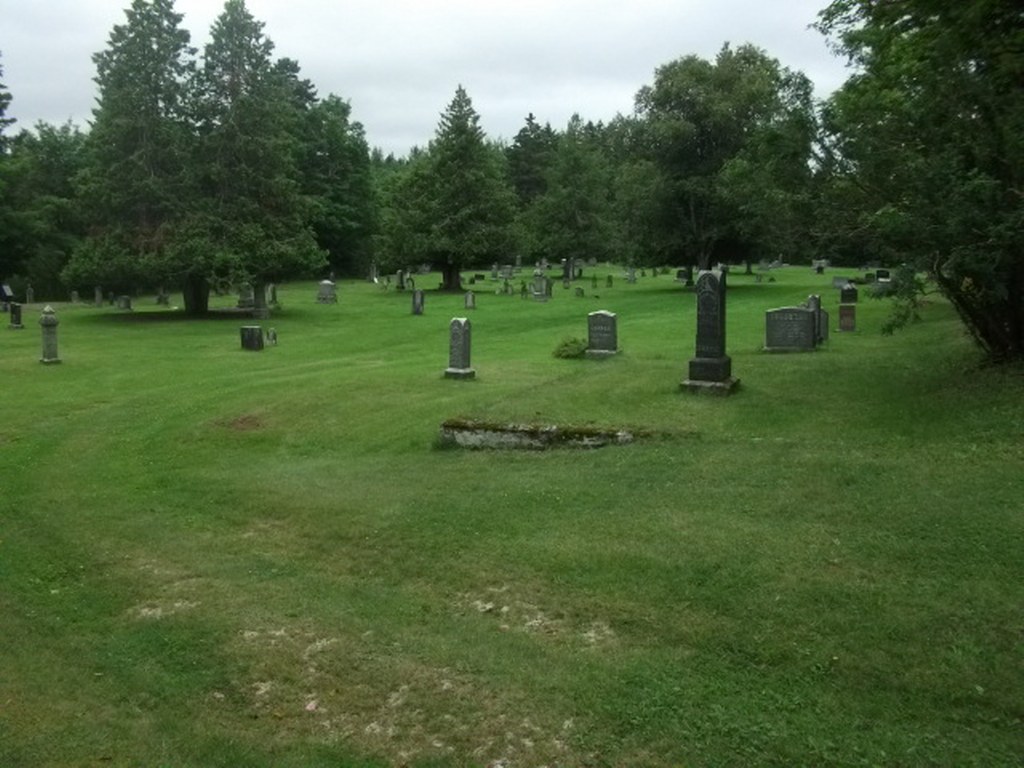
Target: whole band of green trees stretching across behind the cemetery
x=205 y=172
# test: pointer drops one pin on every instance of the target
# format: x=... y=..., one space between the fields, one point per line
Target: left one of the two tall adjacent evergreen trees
x=136 y=183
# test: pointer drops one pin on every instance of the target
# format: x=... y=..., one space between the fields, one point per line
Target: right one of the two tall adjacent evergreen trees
x=249 y=221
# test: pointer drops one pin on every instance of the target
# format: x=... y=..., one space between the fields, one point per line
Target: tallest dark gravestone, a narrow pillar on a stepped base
x=711 y=370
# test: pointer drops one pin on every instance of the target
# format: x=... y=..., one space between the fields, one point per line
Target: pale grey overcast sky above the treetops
x=399 y=62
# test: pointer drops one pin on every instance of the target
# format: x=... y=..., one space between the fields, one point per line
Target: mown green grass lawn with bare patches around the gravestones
x=216 y=558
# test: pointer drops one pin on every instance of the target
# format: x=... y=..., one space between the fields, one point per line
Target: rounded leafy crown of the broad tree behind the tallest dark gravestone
x=700 y=117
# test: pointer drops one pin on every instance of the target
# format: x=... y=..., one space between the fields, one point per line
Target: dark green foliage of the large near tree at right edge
x=927 y=143
